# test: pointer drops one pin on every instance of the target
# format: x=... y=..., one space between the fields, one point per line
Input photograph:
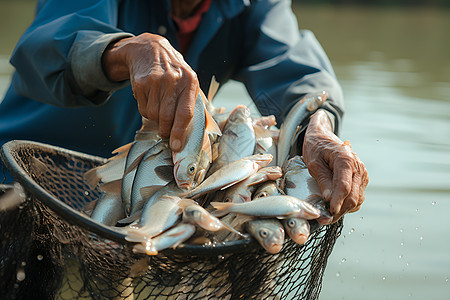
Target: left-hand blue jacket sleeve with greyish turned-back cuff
x=58 y=58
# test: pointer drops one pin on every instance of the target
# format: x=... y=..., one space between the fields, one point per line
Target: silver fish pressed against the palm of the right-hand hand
x=299 y=183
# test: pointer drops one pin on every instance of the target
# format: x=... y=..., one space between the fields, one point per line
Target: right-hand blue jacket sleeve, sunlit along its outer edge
x=281 y=64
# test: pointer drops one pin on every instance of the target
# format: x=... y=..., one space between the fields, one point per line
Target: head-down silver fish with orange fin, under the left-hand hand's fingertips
x=187 y=160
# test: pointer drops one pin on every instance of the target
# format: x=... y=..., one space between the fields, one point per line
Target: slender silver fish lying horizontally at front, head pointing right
x=280 y=207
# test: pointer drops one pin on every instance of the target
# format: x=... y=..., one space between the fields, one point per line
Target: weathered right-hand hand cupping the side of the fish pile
x=341 y=175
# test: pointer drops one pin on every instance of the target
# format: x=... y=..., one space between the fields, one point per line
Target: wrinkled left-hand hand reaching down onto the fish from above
x=163 y=84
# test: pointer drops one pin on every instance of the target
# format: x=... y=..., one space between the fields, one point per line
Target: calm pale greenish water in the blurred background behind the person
x=394 y=66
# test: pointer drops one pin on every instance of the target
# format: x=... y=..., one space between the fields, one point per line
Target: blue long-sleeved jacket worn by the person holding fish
x=59 y=94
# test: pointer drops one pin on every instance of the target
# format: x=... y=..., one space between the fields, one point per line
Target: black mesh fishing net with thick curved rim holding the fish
x=50 y=249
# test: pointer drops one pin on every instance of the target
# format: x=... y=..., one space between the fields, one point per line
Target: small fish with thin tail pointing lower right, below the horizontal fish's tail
x=197 y=215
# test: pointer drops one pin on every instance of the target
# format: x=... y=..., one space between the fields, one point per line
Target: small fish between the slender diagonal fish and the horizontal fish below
x=242 y=191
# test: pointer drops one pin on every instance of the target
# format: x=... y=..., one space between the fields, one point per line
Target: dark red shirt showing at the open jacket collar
x=187 y=27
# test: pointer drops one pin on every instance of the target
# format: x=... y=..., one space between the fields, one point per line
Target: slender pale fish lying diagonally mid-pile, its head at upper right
x=230 y=174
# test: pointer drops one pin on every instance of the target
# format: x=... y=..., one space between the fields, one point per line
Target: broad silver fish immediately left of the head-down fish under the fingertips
x=153 y=170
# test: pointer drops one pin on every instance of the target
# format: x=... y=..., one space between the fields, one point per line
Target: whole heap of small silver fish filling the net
x=224 y=185
